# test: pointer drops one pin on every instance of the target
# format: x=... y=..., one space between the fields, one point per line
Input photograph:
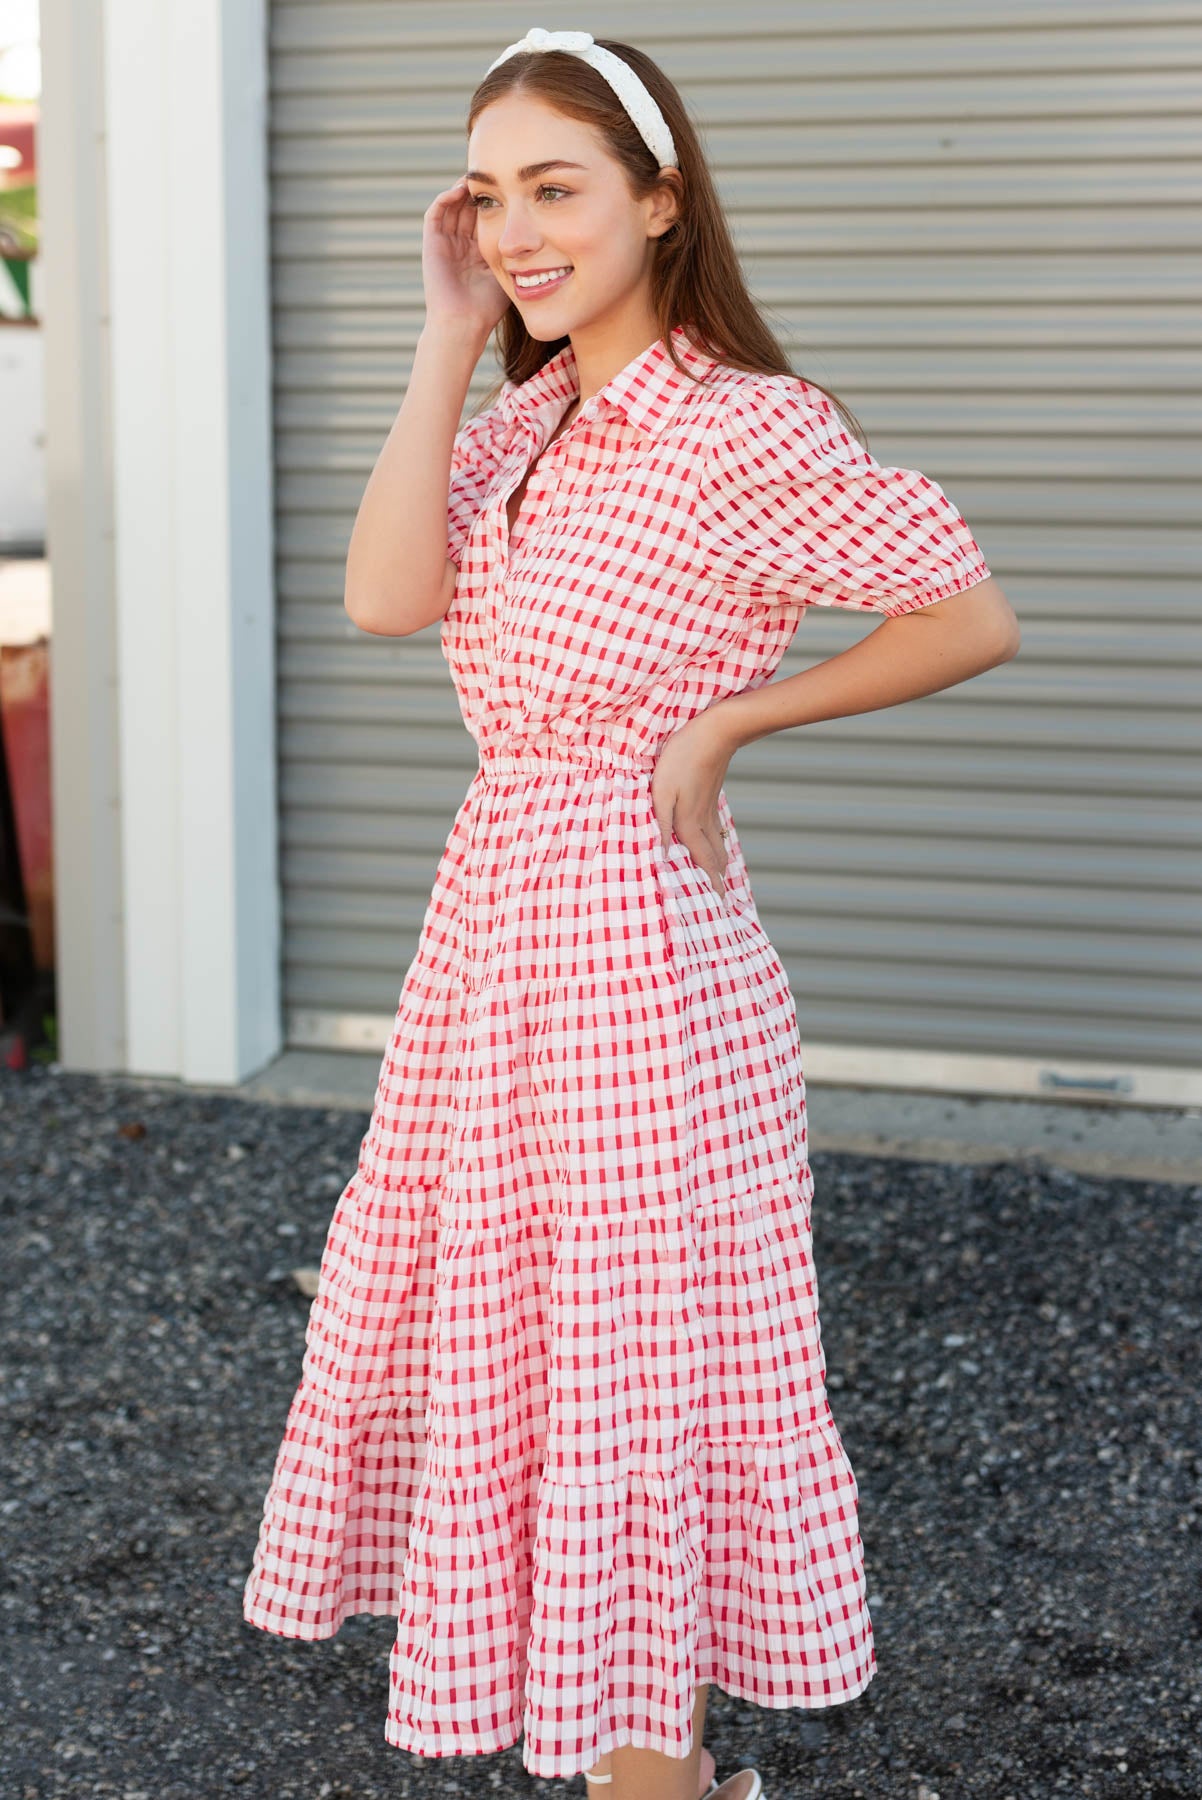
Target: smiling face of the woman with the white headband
x=550 y=197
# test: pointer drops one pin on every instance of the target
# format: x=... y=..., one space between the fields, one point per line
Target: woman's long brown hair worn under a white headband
x=697 y=280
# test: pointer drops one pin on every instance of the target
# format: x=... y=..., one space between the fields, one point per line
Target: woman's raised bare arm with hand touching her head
x=399 y=575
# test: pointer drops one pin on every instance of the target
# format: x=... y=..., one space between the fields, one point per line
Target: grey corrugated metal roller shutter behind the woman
x=982 y=228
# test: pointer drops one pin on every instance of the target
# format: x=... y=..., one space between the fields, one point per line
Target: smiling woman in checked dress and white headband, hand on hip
x=564 y=1407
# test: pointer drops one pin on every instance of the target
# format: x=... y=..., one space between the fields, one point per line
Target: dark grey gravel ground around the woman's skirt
x=1012 y=1358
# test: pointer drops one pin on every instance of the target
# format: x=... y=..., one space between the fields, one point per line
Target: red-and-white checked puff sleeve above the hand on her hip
x=794 y=510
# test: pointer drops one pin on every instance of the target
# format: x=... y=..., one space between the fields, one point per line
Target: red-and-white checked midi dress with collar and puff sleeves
x=562 y=1408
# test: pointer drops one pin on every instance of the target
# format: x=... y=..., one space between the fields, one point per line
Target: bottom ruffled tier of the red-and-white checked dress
x=573 y=1617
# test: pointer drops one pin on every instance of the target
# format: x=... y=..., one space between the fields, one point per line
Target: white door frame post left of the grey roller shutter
x=159 y=526
